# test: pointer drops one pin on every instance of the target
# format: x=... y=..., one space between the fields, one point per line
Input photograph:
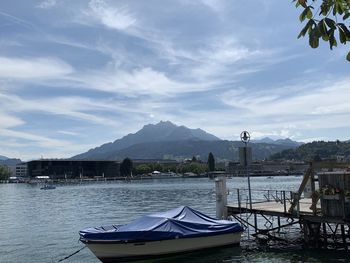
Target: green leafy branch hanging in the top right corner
x=324 y=22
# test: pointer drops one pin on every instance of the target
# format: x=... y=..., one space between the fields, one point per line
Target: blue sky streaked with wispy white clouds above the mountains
x=77 y=74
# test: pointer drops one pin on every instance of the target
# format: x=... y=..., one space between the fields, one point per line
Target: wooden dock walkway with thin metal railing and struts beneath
x=278 y=210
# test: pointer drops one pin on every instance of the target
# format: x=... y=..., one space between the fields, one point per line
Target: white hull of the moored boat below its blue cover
x=108 y=251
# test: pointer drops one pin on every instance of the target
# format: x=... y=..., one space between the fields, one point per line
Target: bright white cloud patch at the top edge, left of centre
x=111 y=17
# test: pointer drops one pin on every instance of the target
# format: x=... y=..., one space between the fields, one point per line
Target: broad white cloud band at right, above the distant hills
x=302 y=99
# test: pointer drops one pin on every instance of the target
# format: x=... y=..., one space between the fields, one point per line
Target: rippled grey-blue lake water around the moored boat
x=42 y=226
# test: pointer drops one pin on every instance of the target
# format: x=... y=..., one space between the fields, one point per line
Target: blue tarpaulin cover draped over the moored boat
x=181 y=222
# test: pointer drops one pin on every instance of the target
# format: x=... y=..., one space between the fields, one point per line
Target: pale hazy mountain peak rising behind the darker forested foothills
x=164 y=131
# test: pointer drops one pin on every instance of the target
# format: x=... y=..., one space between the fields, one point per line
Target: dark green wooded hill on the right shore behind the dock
x=318 y=150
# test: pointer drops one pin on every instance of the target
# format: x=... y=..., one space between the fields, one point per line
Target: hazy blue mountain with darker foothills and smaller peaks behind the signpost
x=166 y=140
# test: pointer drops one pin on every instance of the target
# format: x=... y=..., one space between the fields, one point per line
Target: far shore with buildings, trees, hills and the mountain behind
x=166 y=150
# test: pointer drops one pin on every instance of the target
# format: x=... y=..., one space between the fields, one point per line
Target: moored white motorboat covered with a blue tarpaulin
x=163 y=234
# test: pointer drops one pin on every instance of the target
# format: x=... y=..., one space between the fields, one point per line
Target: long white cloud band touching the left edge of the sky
x=33 y=68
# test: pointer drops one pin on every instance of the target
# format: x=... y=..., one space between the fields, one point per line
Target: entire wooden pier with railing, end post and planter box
x=315 y=216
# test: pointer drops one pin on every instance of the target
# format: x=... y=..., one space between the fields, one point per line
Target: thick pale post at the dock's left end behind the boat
x=221 y=197
